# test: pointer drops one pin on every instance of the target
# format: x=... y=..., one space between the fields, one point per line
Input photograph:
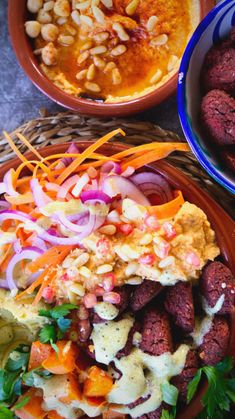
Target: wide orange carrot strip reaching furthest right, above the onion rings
x=161 y=152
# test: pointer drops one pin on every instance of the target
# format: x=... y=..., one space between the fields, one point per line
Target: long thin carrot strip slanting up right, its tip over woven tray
x=86 y=154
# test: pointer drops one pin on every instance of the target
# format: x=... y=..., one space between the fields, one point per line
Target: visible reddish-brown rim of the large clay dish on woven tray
x=222 y=224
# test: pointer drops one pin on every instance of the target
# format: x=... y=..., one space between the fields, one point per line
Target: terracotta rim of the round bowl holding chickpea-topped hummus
x=16 y=18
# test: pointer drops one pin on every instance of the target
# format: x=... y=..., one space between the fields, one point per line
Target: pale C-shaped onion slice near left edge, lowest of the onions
x=27 y=253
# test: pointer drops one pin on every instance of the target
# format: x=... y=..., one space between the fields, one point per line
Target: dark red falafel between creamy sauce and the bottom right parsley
x=182 y=380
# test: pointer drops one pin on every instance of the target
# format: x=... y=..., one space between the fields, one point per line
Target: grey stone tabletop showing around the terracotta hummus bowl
x=20 y=100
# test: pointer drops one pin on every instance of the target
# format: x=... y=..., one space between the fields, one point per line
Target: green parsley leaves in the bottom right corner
x=220 y=392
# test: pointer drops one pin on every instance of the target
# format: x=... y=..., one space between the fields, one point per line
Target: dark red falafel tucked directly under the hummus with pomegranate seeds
x=144 y=293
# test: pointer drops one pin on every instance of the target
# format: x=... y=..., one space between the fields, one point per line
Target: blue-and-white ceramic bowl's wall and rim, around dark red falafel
x=214 y=27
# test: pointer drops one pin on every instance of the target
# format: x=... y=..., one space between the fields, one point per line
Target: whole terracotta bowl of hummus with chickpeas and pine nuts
x=116 y=59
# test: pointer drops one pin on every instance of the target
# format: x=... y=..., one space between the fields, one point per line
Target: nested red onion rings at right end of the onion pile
x=152 y=183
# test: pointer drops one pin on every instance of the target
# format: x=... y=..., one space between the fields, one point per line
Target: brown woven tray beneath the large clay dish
x=69 y=126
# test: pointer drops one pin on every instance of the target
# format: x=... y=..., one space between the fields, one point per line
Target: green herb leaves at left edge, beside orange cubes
x=11 y=375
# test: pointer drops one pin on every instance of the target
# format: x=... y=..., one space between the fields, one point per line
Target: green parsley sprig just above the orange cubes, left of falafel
x=58 y=326
